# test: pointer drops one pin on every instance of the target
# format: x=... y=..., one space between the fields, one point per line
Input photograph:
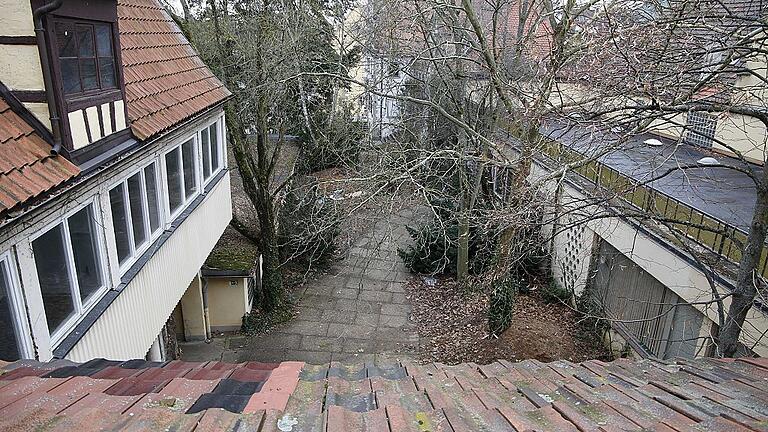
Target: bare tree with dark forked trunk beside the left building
x=260 y=49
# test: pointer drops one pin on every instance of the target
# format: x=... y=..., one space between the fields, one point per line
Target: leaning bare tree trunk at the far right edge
x=747 y=278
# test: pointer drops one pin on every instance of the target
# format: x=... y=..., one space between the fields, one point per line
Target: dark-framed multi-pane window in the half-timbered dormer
x=86 y=56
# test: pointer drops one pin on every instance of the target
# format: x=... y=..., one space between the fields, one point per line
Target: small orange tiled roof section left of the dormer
x=27 y=168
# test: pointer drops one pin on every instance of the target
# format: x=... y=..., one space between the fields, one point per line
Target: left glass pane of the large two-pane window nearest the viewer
x=53 y=274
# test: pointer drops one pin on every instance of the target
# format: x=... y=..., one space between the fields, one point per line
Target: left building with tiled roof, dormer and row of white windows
x=123 y=187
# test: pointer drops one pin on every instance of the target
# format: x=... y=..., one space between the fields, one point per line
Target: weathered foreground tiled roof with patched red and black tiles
x=704 y=394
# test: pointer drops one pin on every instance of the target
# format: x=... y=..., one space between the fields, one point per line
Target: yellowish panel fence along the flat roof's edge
x=708 y=232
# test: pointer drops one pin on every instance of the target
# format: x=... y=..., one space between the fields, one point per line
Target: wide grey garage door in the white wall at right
x=666 y=325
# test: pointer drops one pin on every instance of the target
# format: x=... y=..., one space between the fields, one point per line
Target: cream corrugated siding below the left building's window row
x=132 y=322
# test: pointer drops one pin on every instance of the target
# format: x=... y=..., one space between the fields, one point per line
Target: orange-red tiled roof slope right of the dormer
x=166 y=82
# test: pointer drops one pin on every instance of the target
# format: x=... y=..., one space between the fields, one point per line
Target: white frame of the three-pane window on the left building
x=135 y=253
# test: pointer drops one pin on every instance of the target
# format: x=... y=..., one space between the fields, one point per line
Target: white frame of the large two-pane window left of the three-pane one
x=81 y=309
